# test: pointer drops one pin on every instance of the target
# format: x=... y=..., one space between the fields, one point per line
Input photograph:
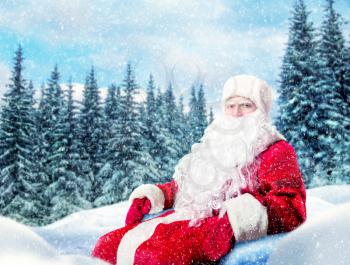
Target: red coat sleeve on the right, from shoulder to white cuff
x=281 y=188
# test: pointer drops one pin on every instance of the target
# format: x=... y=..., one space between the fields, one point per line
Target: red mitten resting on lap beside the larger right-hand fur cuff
x=220 y=238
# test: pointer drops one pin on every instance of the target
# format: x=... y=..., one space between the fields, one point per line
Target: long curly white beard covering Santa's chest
x=222 y=164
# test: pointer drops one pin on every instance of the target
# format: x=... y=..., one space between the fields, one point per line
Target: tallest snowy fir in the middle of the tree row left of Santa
x=132 y=164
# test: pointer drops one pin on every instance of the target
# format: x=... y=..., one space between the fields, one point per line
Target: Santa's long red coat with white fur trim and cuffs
x=276 y=205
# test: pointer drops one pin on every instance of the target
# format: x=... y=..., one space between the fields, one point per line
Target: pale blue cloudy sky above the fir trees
x=180 y=41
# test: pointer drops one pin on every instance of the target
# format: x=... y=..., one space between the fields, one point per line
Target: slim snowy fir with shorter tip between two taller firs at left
x=68 y=190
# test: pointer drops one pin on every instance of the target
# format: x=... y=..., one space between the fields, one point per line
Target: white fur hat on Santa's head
x=251 y=87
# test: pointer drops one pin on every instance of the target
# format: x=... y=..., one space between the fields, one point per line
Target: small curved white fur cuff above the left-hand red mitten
x=151 y=192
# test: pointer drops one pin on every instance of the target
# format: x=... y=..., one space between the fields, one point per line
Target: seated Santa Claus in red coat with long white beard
x=240 y=182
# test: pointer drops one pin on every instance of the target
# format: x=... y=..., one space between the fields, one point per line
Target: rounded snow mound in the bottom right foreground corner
x=320 y=242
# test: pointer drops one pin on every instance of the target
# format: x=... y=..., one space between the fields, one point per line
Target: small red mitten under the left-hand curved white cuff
x=137 y=210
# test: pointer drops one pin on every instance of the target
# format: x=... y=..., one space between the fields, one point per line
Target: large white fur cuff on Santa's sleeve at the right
x=247 y=216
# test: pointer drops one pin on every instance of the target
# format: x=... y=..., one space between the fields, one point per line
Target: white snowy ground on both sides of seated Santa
x=323 y=239
